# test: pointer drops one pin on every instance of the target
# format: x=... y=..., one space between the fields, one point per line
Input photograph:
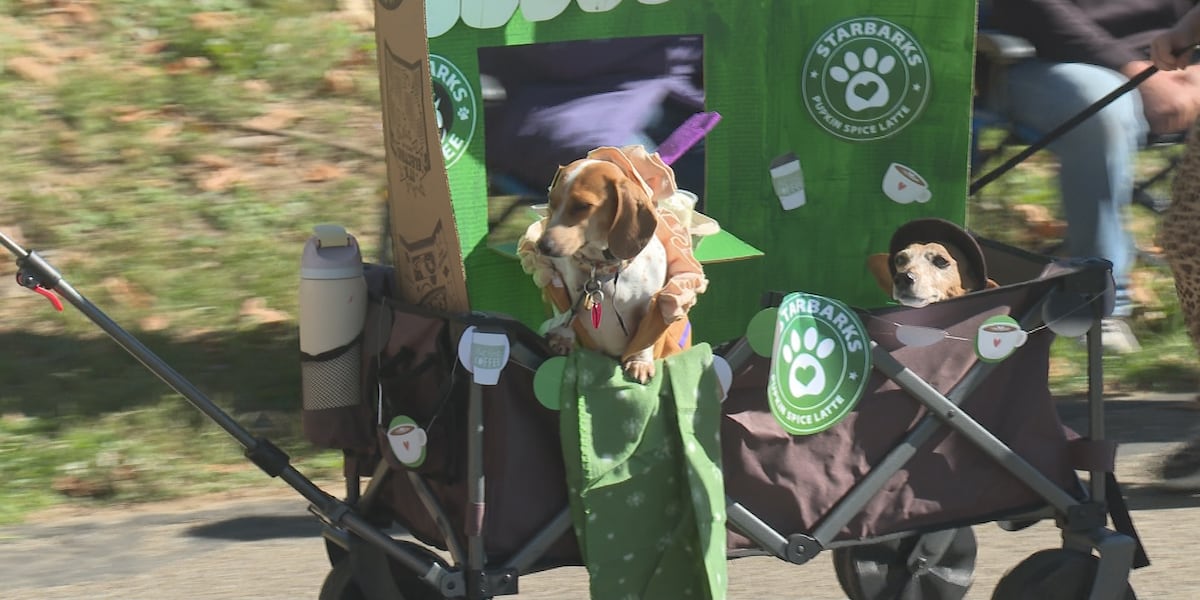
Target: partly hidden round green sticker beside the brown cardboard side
x=455 y=107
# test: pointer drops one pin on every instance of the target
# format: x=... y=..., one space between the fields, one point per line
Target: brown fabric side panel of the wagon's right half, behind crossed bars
x=793 y=482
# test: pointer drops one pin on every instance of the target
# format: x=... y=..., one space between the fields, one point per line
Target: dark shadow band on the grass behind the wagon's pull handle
x=61 y=376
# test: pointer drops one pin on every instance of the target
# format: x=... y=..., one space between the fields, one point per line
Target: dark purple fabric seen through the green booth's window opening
x=567 y=99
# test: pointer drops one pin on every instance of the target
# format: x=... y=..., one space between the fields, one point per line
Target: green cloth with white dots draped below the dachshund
x=644 y=472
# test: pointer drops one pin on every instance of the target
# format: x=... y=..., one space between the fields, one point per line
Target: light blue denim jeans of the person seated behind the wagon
x=1096 y=158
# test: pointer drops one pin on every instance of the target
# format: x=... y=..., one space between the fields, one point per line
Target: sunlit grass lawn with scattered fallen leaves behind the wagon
x=171 y=159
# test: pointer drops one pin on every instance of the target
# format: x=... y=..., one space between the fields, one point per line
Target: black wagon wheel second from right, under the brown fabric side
x=929 y=567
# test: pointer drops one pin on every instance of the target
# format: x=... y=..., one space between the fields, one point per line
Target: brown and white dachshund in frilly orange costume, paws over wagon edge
x=626 y=272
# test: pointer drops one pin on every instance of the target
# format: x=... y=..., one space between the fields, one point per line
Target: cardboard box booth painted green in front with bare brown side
x=841 y=122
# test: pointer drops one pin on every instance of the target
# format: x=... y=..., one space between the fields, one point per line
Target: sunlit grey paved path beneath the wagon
x=265 y=545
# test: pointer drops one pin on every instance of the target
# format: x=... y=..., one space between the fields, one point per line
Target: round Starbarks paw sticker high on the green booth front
x=866 y=79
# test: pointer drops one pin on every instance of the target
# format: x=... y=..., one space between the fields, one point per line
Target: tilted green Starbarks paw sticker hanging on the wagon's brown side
x=820 y=364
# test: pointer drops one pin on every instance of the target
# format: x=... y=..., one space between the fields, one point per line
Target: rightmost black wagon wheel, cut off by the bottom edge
x=1057 y=574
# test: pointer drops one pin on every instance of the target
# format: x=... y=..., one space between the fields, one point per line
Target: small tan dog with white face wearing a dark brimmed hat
x=929 y=261
